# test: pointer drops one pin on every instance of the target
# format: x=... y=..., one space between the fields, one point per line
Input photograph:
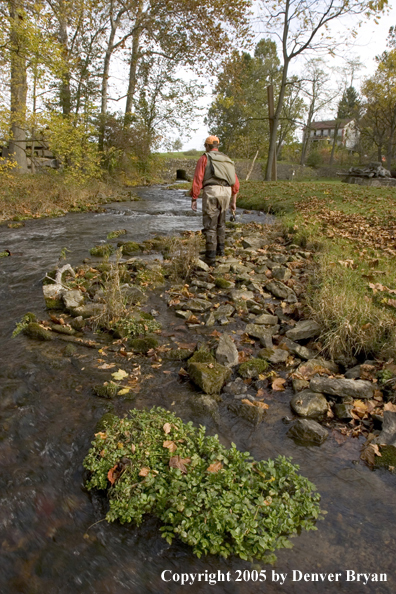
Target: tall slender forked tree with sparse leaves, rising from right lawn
x=303 y=25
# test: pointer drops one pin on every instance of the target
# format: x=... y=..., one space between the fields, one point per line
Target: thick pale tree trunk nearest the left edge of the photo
x=18 y=87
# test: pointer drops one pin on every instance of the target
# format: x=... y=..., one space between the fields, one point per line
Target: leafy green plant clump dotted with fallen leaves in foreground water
x=217 y=500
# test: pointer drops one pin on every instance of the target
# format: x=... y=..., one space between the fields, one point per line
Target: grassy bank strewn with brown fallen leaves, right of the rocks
x=353 y=287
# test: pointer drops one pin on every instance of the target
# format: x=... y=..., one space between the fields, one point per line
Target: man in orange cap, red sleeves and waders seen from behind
x=215 y=175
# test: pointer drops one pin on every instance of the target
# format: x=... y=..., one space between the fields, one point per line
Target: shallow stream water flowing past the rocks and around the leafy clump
x=52 y=540
